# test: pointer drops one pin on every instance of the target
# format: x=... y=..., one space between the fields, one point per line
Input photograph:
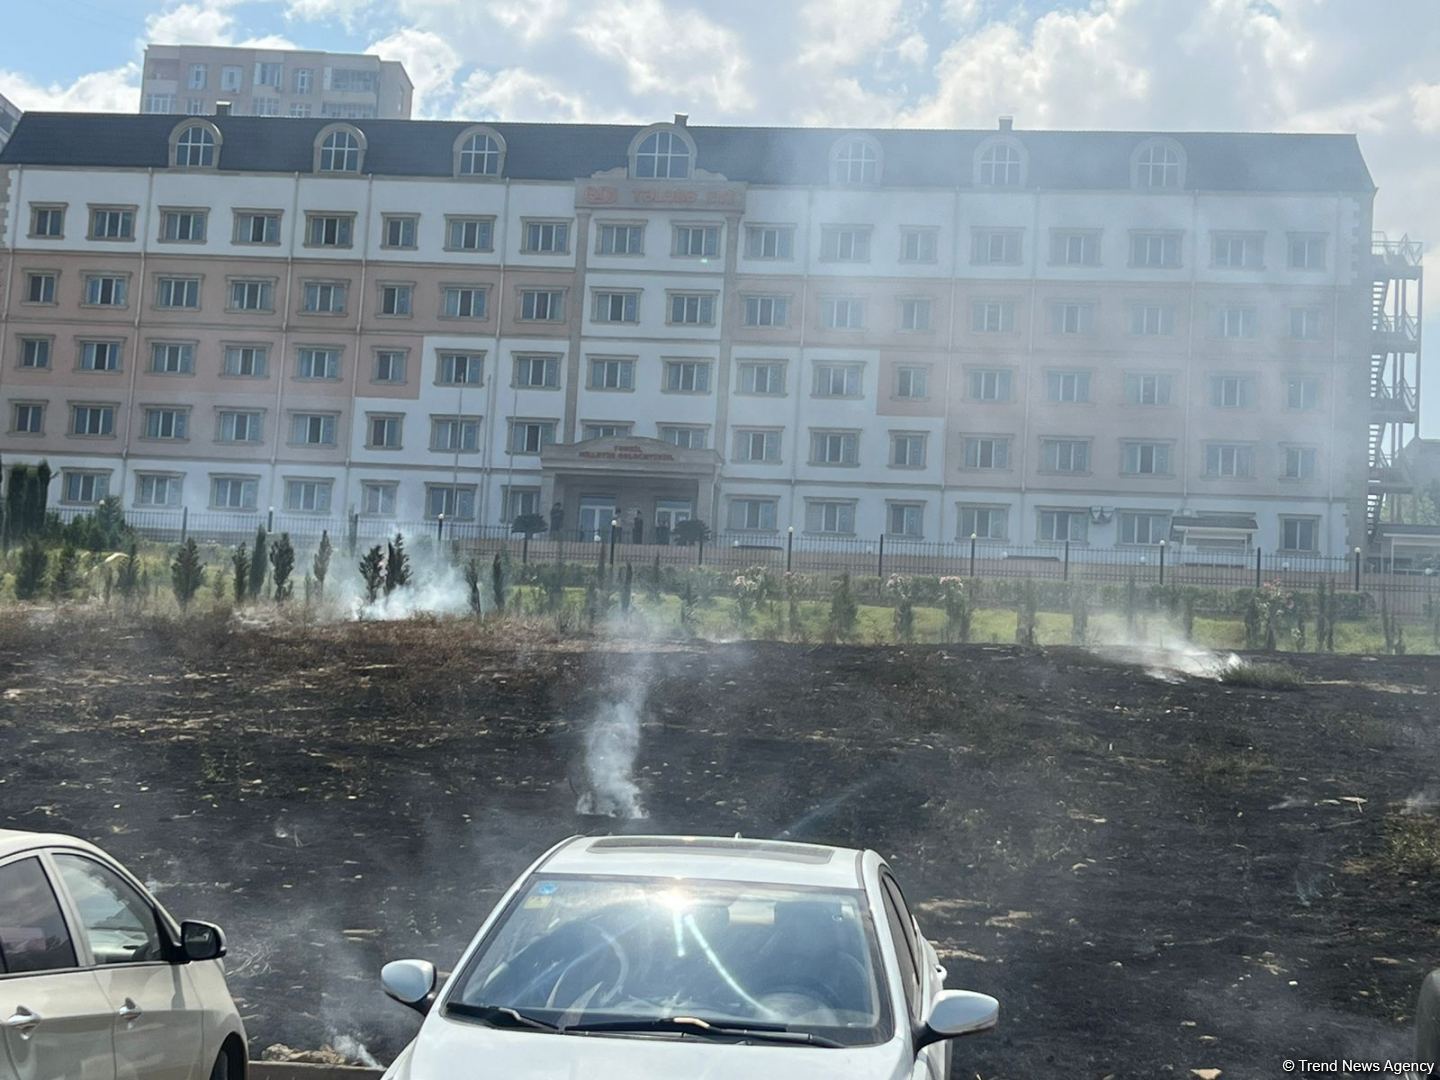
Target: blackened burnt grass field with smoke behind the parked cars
x=1154 y=873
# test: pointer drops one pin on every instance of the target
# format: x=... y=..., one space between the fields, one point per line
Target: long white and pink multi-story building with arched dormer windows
x=1032 y=338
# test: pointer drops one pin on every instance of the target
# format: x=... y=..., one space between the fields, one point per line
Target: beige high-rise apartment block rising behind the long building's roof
x=273 y=83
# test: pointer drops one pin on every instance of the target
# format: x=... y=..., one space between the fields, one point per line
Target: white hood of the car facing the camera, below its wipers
x=444 y=1048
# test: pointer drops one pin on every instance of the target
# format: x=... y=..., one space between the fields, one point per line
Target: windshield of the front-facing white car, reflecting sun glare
x=580 y=951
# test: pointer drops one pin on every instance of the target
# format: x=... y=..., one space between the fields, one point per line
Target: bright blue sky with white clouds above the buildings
x=1364 y=67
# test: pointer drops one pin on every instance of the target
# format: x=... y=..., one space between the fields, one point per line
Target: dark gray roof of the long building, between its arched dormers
x=1216 y=162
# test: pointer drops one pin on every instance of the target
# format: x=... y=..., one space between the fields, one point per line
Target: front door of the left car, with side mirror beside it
x=158 y=1022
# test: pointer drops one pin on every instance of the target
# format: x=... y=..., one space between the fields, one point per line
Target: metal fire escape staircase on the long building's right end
x=1395 y=372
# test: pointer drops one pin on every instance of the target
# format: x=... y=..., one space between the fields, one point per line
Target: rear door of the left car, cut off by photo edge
x=55 y=1020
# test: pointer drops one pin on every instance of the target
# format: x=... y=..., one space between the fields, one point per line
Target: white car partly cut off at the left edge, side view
x=97 y=981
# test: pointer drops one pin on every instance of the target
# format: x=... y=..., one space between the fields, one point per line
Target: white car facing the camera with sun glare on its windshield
x=618 y=958
